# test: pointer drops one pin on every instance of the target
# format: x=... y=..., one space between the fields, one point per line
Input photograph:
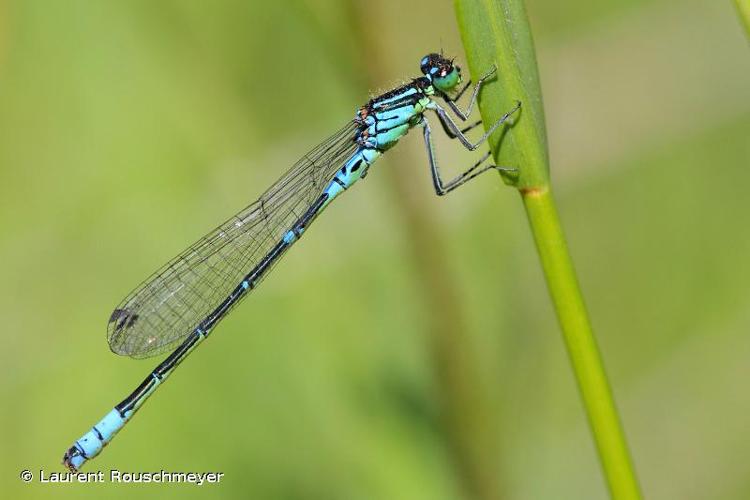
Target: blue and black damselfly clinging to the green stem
x=180 y=304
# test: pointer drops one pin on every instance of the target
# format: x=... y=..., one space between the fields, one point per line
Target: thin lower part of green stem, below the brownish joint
x=580 y=343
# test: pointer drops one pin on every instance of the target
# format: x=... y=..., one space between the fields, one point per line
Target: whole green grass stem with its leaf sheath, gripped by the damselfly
x=497 y=33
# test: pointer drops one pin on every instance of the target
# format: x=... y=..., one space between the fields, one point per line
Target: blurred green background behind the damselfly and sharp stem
x=406 y=348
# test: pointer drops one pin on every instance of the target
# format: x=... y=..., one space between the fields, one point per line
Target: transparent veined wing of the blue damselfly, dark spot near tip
x=170 y=304
